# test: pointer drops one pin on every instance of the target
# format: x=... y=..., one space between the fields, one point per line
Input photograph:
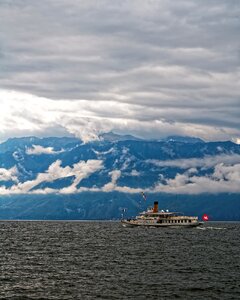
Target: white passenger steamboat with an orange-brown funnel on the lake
x=155 y=218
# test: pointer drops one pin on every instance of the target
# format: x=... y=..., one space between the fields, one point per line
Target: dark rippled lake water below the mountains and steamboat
x=102 y=260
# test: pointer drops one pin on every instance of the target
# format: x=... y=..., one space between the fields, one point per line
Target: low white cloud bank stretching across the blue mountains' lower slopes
x=225 y=178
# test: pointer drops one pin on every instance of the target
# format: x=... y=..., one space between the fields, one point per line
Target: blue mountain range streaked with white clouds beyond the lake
x=63 y=178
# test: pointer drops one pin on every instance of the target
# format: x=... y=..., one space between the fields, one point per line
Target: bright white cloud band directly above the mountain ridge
x=24 y=114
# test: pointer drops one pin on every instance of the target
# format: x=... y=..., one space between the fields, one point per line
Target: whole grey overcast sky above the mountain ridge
x=150 y=68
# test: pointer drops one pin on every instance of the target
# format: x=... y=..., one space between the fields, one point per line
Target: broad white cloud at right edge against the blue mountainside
x=225 y=177
